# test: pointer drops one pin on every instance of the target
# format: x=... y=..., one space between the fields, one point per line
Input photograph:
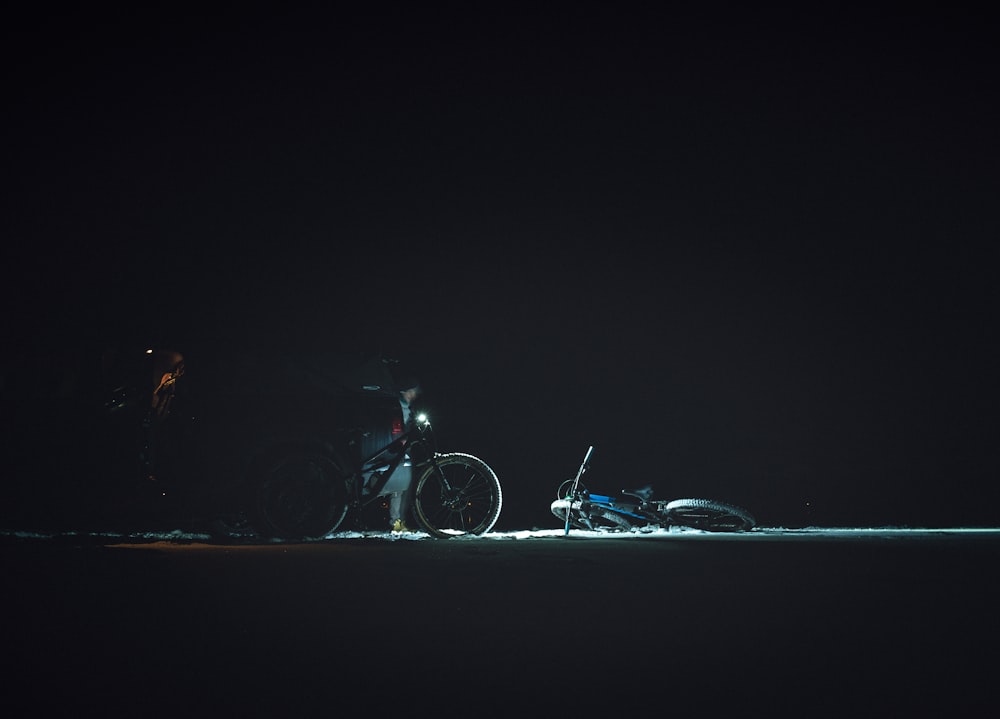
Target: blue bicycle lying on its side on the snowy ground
x=635 y=509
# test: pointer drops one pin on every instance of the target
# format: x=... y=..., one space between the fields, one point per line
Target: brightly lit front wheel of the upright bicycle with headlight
x=457 y=494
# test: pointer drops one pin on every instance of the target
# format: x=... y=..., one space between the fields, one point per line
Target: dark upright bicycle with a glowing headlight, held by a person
x=306 y=494
